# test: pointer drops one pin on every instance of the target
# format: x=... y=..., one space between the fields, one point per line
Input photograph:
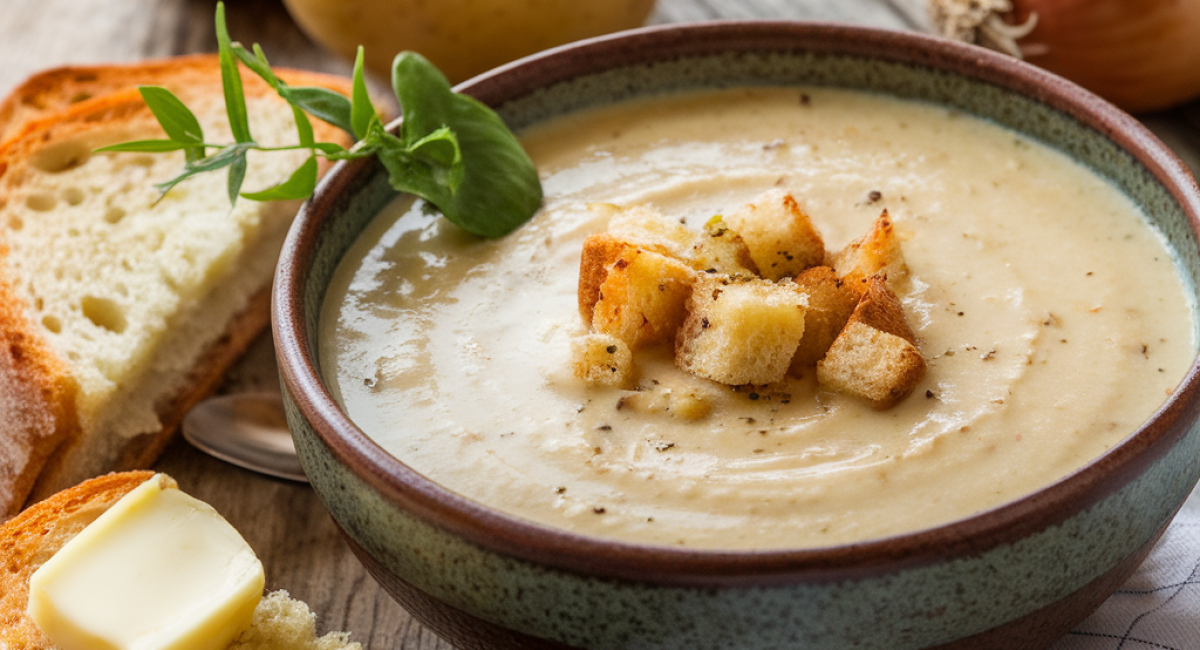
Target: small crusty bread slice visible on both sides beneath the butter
x=32 y=538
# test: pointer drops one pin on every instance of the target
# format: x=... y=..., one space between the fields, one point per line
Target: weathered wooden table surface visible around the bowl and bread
x=284 y=522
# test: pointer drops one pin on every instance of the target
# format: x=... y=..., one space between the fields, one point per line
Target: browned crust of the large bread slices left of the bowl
x=51 y=123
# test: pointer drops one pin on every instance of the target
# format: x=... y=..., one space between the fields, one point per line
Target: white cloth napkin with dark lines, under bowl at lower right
x=1159 y=609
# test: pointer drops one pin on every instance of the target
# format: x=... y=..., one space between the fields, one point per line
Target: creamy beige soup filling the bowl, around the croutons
x=1052 y=316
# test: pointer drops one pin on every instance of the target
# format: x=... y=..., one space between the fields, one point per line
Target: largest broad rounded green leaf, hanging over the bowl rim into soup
x=497 y=188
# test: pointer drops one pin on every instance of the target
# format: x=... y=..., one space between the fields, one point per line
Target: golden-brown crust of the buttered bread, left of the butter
x=31 y=539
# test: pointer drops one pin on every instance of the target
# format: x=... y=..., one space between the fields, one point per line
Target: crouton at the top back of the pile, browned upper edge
x=782 y=239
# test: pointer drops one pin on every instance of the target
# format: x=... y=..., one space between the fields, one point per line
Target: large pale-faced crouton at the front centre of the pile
x=741 y=332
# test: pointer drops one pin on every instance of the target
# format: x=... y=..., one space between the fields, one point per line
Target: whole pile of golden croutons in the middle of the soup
x=748 y=302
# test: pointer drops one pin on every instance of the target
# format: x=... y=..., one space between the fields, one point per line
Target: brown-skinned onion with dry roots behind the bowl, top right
x=1139 y=55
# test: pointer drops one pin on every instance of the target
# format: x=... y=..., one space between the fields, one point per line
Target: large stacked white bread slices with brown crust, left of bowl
x=119 y=311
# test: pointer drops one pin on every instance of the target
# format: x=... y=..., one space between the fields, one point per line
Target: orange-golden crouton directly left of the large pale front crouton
x=643 y=299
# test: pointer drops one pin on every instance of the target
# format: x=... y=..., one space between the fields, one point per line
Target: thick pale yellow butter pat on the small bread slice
x=158 y=571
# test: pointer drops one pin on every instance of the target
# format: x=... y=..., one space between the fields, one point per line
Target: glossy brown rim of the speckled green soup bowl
x=686 y=567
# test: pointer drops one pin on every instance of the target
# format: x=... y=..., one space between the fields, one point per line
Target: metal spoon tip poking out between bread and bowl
x=247 y=430
